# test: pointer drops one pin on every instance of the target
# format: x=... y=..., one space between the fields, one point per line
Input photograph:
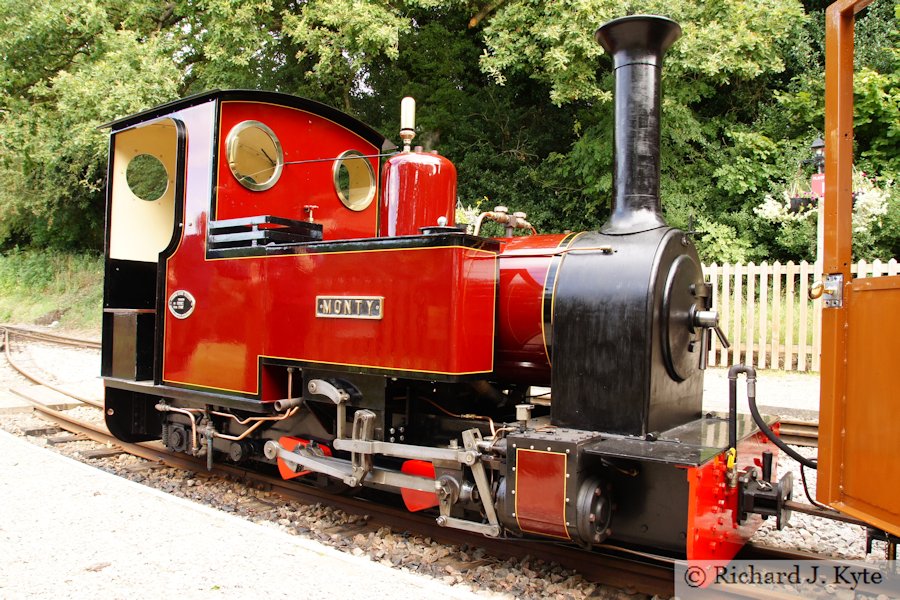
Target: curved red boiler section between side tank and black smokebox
x=524 y=265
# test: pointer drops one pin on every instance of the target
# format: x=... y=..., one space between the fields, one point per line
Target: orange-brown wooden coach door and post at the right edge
x=859 y=431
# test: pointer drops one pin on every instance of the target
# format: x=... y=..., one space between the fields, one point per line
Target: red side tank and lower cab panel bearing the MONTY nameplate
x=220 y=345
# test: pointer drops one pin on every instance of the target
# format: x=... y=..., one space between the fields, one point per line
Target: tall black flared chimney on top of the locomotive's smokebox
x=637 y=44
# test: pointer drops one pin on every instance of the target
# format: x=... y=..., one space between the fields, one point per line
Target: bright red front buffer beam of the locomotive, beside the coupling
x=714 y=533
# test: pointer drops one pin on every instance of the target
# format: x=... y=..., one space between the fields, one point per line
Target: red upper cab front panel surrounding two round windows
x=303 y=136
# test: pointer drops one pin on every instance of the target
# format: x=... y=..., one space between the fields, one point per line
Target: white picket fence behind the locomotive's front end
x=766 y=314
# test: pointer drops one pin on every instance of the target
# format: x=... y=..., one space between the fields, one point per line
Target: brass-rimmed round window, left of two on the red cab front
x=254 y=155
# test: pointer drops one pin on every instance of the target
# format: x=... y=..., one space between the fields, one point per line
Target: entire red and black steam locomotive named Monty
x=282 y=299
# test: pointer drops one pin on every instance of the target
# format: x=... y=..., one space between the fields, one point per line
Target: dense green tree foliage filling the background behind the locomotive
x=515 y=92
